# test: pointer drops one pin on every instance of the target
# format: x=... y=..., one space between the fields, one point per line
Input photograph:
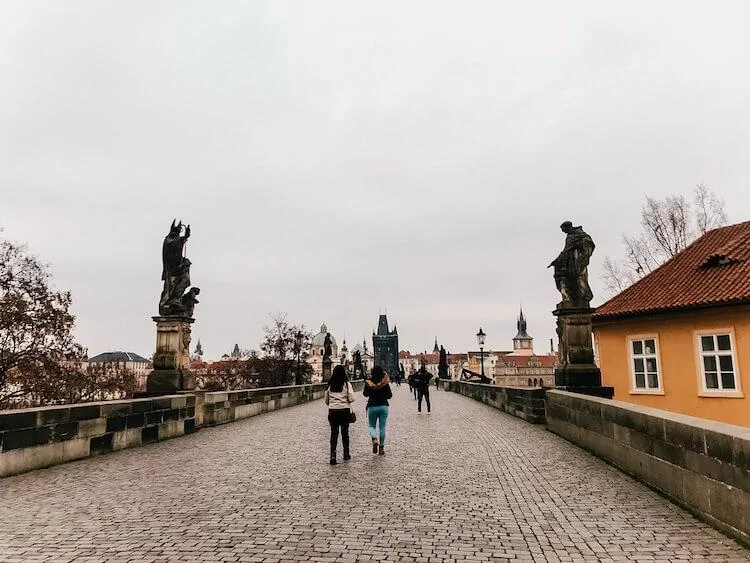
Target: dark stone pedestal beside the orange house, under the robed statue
x=577 y=371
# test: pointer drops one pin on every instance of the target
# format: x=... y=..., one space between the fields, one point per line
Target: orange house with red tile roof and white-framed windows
x=679 y=339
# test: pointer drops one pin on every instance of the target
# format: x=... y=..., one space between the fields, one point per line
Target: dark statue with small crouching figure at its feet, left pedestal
x=176 y=275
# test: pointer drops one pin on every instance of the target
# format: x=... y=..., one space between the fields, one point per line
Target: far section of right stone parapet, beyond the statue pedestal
x=523 y=402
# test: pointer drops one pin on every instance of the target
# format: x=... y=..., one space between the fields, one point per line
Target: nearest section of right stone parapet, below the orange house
x=701 y=465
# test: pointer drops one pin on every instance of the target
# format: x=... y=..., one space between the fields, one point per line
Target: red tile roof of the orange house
x=714 y=270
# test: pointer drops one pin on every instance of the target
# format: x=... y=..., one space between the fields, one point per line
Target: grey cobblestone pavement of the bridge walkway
x=466 y=483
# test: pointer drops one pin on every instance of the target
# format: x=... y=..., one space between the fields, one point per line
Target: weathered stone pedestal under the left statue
x=171 y=361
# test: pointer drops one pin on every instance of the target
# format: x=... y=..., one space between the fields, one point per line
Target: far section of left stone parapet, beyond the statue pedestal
x=221 y=407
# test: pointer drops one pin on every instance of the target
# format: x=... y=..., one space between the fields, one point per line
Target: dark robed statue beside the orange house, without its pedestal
x=571 y=266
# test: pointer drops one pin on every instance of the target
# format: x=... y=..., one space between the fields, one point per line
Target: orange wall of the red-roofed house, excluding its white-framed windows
x=678 y=357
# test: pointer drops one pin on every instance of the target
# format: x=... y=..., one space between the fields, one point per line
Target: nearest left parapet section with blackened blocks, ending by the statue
x=44 y=436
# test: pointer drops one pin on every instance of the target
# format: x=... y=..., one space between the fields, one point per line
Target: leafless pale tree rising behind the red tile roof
x=668 y=226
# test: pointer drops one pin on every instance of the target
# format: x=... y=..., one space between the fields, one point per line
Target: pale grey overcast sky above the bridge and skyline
x=338 y=158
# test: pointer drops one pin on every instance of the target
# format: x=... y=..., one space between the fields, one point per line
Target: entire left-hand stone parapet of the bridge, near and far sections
x=43 y=436
